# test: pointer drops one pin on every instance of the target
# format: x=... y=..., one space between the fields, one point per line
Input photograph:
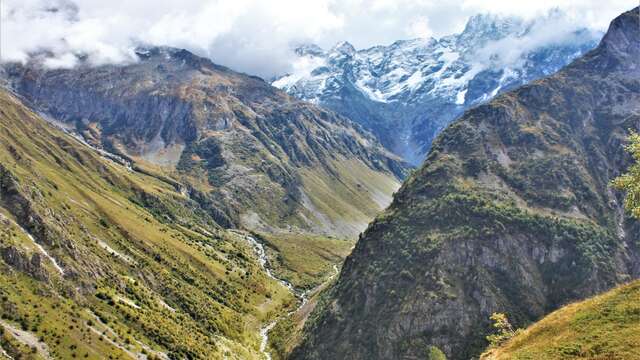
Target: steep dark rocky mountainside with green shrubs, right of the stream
x=512 y=212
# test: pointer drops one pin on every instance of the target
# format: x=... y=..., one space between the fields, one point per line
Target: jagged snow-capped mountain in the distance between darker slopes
x=408 y=91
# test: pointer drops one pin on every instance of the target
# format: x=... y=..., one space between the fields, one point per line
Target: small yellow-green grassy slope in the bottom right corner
x=604 y=327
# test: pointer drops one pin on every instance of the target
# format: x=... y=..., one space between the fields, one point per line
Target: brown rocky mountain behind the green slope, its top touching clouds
x=256 y=157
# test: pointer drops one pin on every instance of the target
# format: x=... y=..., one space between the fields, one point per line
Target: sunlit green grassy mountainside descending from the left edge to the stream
x=100 y=260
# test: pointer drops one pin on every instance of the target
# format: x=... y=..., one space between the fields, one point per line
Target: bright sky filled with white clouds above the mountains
x=253 y=36
